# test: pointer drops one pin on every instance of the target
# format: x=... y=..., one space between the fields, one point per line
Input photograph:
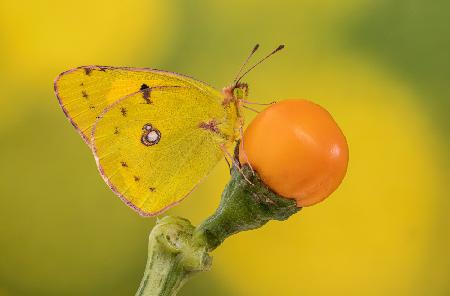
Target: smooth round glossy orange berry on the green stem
x=297 y=149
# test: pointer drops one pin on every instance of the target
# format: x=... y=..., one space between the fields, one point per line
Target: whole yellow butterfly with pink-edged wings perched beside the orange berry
x=154 y=134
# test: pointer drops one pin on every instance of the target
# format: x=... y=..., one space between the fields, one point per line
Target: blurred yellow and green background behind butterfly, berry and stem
x=381 y=67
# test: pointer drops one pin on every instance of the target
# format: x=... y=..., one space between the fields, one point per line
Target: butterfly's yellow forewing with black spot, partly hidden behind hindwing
x=84 y=92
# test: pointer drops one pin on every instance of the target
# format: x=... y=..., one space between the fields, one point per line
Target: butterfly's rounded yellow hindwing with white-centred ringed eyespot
x=153 y=155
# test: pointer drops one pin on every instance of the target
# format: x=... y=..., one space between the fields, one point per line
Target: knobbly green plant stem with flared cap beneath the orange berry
x=177 y=249
